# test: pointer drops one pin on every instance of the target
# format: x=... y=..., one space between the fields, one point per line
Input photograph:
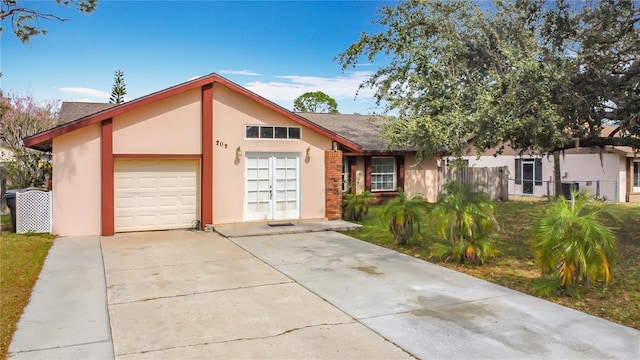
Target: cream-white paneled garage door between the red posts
x=155 y=194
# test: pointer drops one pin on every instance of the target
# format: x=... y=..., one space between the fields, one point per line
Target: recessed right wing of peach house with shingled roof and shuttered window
x=375 y=167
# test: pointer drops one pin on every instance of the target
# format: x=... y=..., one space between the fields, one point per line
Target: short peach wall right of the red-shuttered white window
x=421 y=178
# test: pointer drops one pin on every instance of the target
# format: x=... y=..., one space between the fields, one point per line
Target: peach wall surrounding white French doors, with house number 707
x=231 y=112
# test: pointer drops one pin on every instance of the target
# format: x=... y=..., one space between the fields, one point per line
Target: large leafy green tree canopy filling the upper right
x=540 y=75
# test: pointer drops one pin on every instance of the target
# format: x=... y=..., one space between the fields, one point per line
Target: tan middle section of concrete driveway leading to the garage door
x=197 y=295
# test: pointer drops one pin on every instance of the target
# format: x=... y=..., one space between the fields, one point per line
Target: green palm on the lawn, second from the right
x=465 y=218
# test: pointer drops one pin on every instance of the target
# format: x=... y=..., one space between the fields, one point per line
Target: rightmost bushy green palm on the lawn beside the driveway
x=570 y=242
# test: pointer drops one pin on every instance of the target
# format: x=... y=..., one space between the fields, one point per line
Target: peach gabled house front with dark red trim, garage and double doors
x=204 y=152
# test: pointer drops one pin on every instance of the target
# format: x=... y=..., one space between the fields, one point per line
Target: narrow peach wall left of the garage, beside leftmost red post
x=76 y=182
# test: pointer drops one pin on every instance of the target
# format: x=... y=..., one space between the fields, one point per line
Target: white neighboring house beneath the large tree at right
x=613 y=172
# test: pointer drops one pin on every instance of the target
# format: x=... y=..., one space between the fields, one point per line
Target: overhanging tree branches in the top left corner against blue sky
x=24 y=21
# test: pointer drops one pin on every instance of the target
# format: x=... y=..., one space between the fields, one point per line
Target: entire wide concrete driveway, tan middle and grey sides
x=182 y=294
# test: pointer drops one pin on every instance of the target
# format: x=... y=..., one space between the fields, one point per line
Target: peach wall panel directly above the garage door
x=169 y=126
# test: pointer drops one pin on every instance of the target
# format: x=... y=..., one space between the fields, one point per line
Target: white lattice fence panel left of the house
x=34 y=212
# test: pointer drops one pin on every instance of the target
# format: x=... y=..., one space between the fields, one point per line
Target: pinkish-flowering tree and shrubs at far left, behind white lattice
x=21 y=117
